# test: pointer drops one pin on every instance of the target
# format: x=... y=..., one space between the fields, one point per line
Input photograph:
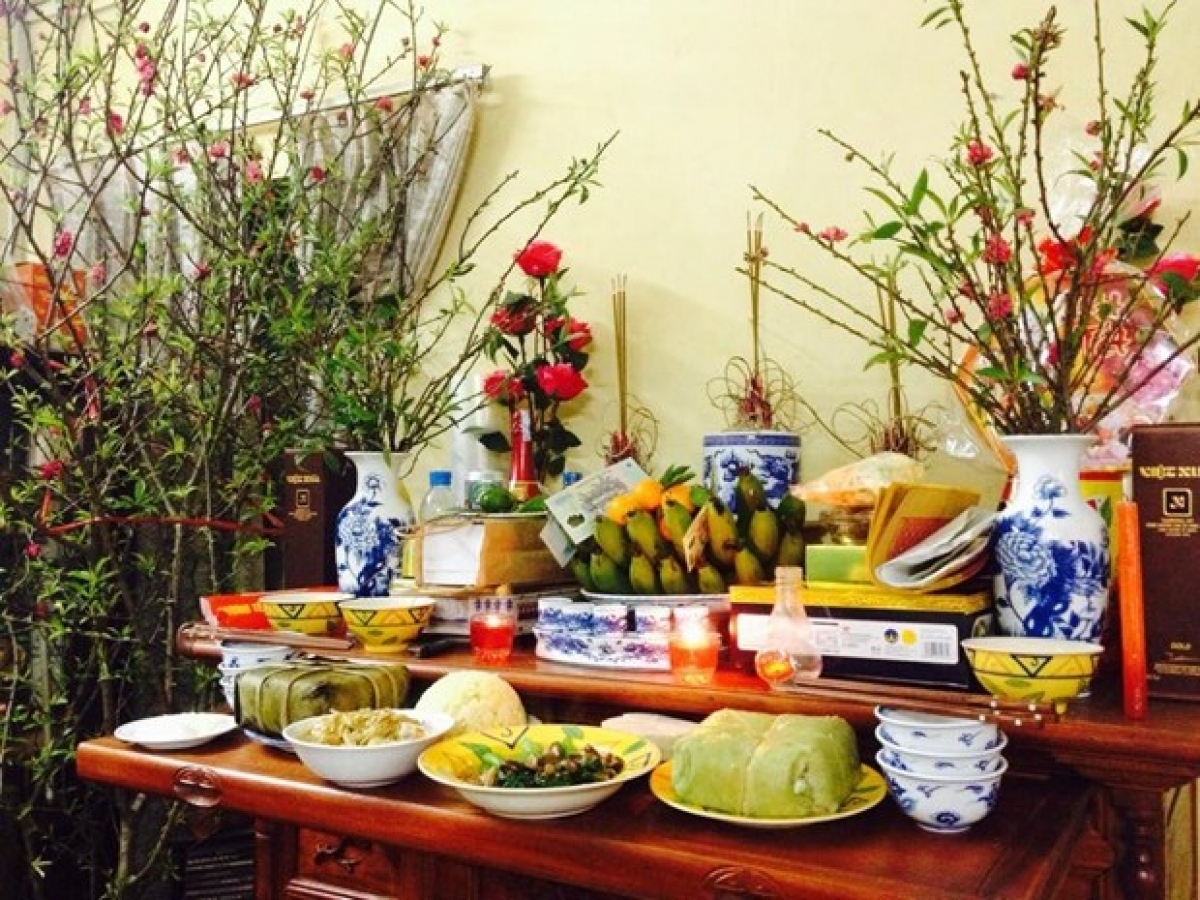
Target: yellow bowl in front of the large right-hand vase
x=1034 y=670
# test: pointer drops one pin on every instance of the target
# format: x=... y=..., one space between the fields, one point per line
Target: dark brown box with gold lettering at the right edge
x=1167 y=490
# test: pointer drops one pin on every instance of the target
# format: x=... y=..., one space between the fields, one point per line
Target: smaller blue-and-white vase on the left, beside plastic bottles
x=370 y=530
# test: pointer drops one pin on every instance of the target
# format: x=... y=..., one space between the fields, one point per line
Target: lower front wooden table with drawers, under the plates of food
x=418 y=841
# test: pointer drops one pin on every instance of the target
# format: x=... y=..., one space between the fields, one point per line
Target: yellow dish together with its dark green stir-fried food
x=539 y=771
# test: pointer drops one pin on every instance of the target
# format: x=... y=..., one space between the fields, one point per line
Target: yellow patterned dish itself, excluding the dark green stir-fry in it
x=458 y=763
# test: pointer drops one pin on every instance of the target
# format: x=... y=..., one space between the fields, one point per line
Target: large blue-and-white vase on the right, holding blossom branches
x=1052 y=547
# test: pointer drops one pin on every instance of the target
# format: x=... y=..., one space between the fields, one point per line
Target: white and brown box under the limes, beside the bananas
x=487 y=551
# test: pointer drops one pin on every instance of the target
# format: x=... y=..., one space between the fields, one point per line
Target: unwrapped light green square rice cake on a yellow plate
x=767 y=766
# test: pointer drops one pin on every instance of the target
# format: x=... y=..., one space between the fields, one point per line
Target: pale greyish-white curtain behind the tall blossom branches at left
x=415 y=159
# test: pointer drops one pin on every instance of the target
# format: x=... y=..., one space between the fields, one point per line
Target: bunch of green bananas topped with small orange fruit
x=692 y=543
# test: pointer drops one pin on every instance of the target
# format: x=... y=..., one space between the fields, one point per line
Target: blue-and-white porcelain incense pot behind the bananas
x=775 y=457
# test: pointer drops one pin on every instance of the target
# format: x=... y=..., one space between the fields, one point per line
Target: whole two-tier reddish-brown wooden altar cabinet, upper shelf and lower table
x=1083 y=814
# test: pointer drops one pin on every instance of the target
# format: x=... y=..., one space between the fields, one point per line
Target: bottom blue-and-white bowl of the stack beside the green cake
x=944 y=805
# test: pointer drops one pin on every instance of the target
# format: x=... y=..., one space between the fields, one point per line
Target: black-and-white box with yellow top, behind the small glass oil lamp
x=874 y=634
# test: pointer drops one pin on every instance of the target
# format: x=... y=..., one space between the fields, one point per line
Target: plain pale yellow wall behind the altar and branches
x=712 y=97
